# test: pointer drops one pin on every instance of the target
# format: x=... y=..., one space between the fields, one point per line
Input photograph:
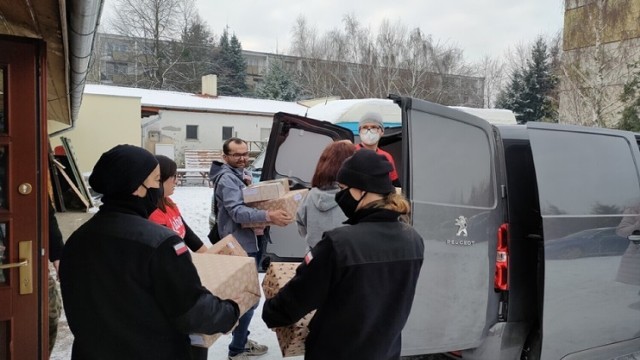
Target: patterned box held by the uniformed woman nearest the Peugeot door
x=290 y=338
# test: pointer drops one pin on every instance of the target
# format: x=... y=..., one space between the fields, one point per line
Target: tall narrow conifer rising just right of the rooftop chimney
x=231 y=66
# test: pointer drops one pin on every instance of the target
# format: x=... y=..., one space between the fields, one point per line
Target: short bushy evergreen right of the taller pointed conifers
x=278 y=83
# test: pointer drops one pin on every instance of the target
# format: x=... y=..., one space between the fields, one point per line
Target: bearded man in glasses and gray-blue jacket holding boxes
x=232 y=213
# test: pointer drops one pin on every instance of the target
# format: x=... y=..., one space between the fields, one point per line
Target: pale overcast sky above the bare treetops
x=479 y=27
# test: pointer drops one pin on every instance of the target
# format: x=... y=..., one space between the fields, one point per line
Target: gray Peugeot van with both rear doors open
x=523 y=253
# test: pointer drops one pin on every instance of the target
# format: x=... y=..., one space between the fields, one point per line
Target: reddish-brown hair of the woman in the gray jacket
x=330 y=161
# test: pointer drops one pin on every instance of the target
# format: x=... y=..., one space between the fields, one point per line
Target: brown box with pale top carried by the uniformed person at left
x=228 y=277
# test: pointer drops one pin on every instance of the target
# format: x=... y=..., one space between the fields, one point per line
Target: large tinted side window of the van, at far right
x=584 y=174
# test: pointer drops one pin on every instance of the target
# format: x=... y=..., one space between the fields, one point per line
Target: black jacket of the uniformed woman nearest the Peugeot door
x=361 y=279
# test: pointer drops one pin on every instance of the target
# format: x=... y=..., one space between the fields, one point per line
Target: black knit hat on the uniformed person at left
x=121 y=170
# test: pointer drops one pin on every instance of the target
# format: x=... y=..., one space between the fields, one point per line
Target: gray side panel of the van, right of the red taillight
x=588 y=182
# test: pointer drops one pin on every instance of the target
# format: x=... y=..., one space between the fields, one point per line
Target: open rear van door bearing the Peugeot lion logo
x=452 y=176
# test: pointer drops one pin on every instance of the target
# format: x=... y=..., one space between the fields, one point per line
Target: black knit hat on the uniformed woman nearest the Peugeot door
x=366 y=170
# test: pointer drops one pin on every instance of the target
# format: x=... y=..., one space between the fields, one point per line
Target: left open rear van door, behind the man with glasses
x=294 y=147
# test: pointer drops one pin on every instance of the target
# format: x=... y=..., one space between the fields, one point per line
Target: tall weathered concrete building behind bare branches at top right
x=598 y=48
